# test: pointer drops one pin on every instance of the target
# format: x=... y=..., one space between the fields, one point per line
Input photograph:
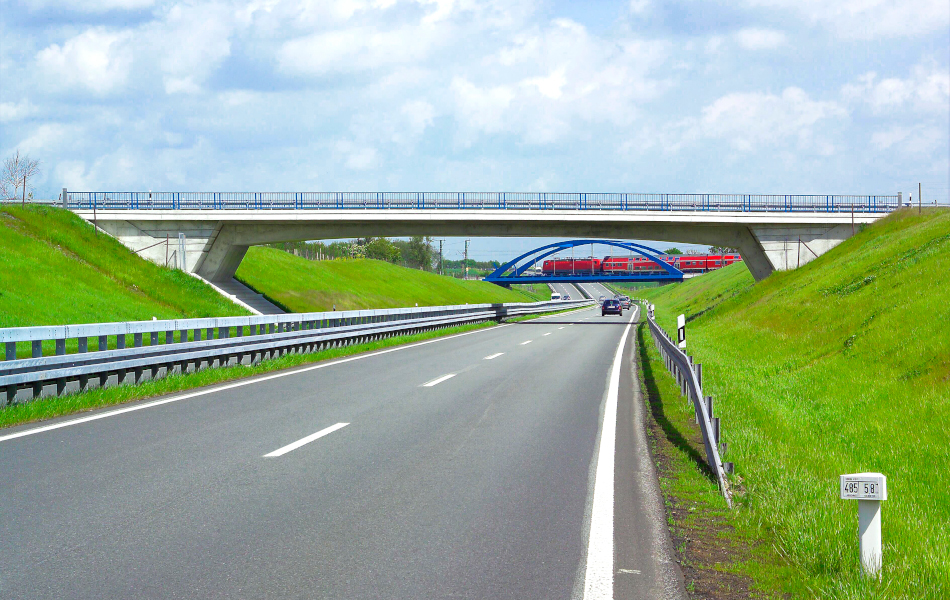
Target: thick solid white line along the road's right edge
x=599 y=577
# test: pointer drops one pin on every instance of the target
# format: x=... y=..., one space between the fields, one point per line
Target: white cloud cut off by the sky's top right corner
x=865 y=19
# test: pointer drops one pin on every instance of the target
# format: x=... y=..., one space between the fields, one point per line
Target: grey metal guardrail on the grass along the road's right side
x=689 y=376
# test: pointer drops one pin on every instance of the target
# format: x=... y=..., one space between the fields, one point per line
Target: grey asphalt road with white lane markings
x=509 y=462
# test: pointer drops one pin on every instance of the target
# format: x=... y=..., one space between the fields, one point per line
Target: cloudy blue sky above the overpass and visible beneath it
x=746 y=96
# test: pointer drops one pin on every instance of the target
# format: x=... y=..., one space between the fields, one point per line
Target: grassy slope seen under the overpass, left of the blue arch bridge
x=301 y=285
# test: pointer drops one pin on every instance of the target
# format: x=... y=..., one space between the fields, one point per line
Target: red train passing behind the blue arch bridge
x=620 y=265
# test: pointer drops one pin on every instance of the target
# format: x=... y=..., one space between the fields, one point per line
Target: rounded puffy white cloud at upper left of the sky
x=97 y=59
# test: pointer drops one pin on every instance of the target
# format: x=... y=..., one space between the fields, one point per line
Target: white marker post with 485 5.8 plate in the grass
x=868 y=489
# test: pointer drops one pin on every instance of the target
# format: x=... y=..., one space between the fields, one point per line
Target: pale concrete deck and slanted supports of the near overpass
x=212 y=243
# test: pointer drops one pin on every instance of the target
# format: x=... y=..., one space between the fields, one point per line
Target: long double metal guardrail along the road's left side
x=240 y=340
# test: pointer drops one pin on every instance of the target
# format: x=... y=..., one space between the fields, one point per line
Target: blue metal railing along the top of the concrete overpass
x=478 y=201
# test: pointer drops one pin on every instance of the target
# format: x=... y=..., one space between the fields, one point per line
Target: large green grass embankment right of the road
x=840 y=366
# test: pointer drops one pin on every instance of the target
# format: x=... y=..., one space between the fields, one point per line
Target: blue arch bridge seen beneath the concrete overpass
x=519 y=269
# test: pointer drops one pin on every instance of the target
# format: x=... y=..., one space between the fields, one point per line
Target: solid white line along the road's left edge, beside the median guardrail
x=281 y=373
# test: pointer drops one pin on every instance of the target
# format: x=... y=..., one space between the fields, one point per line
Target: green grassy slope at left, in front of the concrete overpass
x=54 y=270
